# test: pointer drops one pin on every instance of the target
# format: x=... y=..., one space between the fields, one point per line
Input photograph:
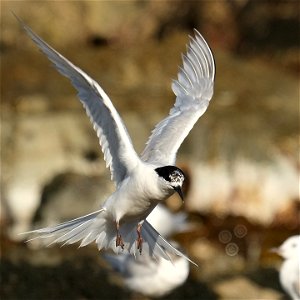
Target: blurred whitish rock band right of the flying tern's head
x=245 y=187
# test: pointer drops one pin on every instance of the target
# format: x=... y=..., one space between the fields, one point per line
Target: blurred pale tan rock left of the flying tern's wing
x=44 y=145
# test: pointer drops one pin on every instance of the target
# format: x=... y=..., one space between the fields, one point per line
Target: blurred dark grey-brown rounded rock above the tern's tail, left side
x=69 y=196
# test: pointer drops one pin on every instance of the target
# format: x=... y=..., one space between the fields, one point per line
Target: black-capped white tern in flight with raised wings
x=141 y=181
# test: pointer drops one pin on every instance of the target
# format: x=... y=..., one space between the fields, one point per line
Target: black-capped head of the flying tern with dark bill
x=172 y=177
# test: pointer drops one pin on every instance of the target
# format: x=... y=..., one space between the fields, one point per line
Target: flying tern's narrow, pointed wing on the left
x=117 y=147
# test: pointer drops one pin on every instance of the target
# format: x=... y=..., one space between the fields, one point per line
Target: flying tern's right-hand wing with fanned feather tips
x=194 y=89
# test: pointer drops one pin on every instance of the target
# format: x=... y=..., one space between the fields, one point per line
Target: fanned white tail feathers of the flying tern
x=98 y=227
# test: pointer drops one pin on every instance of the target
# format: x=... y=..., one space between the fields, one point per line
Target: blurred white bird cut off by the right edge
x=289 y=274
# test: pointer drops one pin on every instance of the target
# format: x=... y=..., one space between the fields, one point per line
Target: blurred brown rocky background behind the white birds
x=241 y=158
